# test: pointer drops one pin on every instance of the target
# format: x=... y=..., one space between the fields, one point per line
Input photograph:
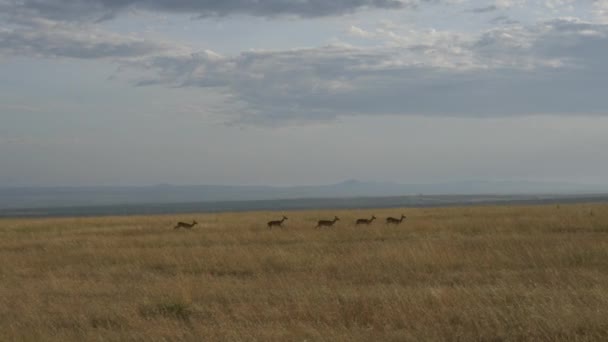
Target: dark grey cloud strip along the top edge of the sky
x=104 y=9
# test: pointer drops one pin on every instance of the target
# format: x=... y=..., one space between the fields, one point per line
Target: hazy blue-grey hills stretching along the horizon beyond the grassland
x=44 y=197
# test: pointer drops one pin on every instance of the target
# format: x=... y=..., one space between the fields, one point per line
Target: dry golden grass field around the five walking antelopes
x=502 y=273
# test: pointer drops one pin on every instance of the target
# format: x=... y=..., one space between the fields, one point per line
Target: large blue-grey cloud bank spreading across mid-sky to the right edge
x=554 y=67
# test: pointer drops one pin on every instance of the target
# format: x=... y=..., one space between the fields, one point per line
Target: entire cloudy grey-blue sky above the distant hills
x=295 y=92
